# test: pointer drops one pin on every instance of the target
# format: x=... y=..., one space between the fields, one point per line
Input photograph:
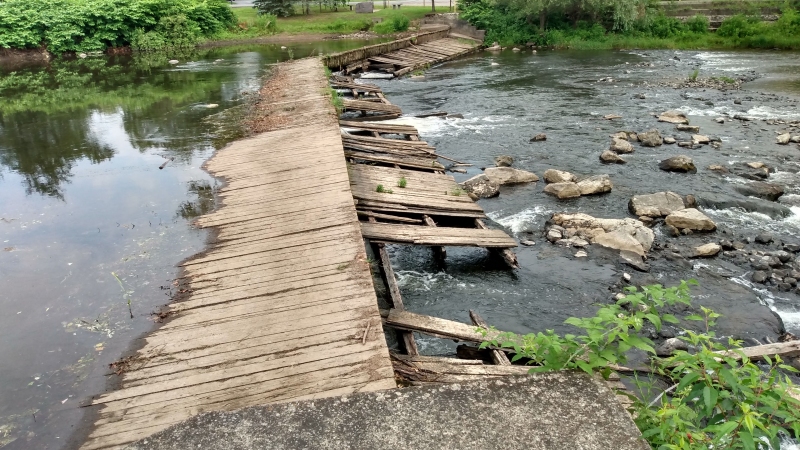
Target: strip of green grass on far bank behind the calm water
x=325 y=22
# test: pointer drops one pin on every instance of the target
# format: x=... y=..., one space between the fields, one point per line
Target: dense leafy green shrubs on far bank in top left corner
x=91 y=25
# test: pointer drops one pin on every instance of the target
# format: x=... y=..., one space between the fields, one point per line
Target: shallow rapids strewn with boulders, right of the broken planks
x=640 y=168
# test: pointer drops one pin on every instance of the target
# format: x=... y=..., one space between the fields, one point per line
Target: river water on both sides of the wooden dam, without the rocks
x=92 y=228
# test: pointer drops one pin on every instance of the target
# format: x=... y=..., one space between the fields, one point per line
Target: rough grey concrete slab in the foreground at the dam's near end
x=553 y=411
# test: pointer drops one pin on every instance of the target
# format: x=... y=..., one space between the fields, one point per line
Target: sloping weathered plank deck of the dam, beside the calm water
x=282 y=304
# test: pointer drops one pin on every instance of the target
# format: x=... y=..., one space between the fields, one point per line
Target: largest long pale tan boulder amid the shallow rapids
x=593 y=228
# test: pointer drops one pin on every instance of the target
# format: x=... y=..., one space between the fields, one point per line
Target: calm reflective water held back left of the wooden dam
x=91 y=229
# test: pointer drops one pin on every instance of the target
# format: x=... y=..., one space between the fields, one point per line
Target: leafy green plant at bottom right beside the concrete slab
x=718 y=398
